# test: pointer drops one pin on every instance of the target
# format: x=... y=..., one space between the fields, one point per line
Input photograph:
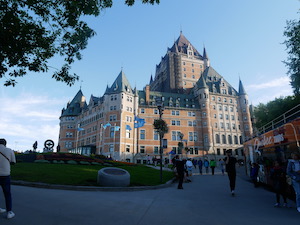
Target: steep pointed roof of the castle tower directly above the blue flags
x=121 y=84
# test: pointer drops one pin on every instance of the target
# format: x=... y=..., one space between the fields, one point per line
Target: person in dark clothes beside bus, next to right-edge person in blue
x=279 y=183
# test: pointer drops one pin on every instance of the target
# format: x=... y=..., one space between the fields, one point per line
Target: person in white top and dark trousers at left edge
x=7 y=157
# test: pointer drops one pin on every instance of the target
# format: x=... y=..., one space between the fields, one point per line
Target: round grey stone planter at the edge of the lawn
x=113 y=177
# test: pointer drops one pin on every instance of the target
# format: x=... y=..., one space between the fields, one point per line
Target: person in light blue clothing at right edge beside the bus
x=293 y=170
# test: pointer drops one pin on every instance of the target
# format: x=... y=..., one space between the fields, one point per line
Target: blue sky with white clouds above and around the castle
x=243 y=39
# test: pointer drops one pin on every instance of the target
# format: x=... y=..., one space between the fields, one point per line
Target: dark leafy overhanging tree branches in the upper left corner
x=34 y=31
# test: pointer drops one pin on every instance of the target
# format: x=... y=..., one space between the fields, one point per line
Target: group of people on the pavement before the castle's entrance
x=184 y=169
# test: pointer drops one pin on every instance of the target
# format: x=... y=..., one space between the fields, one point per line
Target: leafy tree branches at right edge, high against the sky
x=292 y=32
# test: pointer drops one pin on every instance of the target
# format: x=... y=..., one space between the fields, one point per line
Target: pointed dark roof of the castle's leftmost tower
x=75 y=107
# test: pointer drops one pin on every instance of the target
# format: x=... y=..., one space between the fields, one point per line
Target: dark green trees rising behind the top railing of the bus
x=265 y=113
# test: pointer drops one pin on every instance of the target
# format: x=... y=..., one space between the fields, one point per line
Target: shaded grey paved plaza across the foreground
x=206 y=201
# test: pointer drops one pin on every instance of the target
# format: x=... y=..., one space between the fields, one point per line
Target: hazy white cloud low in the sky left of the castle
x=26 y=118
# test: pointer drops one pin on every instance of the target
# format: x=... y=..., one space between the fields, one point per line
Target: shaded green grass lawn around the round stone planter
x=83 y=175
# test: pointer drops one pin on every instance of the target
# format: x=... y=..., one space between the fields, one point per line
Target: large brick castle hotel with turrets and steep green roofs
x=202 y=110
